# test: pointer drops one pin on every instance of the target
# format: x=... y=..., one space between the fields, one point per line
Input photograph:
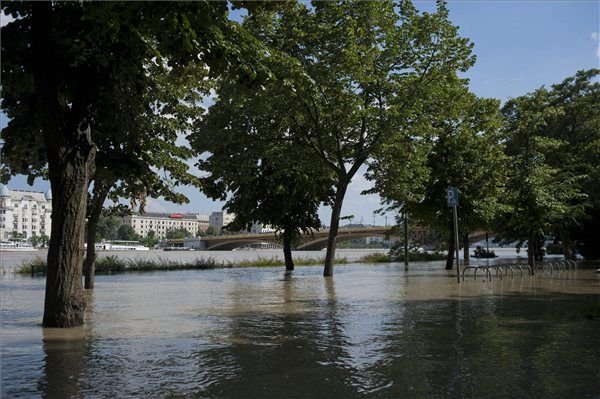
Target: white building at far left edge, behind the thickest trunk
x=25 y=212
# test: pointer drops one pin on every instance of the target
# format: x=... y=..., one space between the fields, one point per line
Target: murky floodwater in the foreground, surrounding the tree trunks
x=370 y=331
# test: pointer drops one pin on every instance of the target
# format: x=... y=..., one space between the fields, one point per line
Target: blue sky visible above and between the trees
x=520 y=46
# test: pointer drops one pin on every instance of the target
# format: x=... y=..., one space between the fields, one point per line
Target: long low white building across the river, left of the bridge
x=160 y=223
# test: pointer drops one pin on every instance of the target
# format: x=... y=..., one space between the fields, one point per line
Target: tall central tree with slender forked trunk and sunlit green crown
x=343 y=78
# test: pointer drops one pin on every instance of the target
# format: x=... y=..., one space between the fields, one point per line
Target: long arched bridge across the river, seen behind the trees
x=315 y=241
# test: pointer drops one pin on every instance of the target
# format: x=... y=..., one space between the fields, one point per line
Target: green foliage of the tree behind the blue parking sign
x=455 y=145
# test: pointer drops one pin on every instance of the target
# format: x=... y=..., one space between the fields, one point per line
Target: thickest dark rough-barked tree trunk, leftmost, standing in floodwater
x=70 y=152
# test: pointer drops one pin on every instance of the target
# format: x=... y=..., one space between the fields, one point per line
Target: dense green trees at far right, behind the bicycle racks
x=551 y=139
